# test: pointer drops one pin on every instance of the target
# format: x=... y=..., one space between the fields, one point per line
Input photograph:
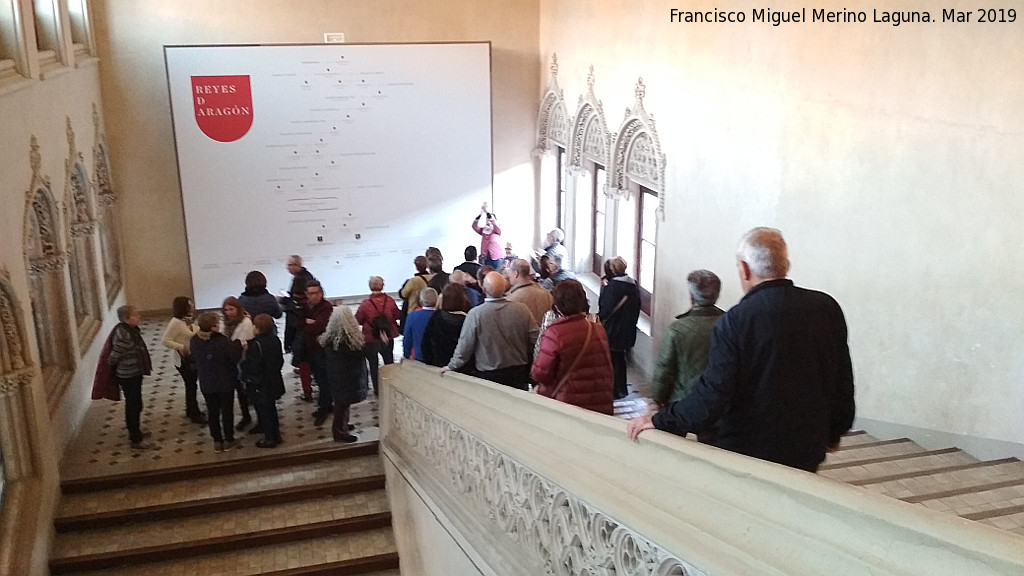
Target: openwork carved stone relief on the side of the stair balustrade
x=540 y=520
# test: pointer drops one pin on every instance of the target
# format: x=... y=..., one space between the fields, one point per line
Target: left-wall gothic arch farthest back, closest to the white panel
x=106 y=200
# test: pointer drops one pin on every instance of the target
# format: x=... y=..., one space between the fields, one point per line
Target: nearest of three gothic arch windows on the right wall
x=637 y=180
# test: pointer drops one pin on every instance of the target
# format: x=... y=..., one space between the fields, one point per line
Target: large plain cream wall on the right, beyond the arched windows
x=890 y=158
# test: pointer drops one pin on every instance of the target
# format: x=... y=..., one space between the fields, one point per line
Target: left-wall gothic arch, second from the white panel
x=81 y=228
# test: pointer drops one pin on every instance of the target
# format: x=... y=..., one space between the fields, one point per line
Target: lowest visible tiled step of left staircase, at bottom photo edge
x=370 y=553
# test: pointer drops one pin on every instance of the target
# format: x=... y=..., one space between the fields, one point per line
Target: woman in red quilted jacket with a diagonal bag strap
x=574 y=364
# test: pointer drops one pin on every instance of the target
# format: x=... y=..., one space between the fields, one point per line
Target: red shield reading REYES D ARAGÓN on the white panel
x=224 y=106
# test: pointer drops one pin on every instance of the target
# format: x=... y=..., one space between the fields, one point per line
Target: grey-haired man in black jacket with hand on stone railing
x=780 y=376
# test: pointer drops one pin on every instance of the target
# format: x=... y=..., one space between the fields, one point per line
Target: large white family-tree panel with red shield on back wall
x=356 y=157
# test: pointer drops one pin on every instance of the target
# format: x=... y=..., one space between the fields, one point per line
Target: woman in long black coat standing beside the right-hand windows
x=619 y=310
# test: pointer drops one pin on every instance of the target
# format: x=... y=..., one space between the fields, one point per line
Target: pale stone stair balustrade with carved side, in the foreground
x=525 y=485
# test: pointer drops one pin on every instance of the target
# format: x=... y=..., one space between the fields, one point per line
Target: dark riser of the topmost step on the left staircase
x=237 y=466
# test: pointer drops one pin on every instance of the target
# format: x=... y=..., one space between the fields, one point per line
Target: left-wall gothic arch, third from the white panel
x=46 y=261
